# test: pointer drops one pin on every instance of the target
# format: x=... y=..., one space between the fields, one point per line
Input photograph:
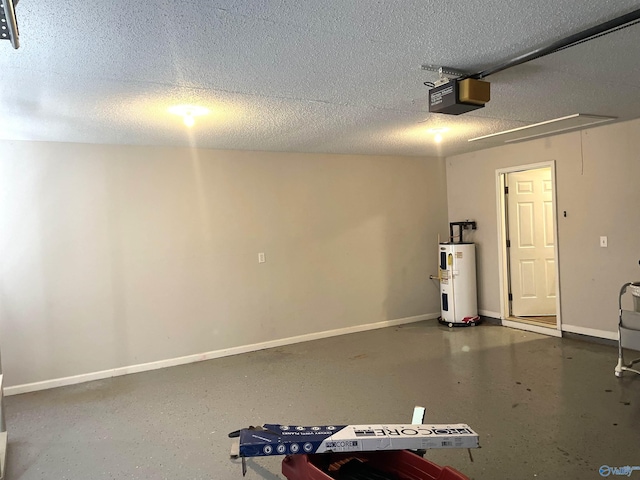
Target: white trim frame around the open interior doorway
x=503 y=254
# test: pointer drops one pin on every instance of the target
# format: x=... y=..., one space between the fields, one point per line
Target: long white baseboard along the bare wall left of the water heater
x=199 y=357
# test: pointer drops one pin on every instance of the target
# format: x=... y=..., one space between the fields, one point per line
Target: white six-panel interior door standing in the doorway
x=532 y=243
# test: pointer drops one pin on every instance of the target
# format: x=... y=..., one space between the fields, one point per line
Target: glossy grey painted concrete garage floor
x=545 y=408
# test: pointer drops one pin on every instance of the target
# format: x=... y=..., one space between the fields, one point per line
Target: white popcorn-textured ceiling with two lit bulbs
x=334 y=76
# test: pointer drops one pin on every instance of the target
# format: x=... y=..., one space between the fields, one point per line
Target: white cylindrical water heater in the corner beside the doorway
x=458 y=295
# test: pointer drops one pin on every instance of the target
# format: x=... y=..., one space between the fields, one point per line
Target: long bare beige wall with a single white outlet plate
x=118 y=255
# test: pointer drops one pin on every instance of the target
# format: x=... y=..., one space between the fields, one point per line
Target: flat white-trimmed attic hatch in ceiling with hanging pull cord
x=543 y=129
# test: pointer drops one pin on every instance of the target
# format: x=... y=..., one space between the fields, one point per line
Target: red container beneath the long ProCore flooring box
x=404 y=464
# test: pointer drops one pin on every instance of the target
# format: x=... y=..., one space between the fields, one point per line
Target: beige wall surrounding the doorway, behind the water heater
x=597 y=174
